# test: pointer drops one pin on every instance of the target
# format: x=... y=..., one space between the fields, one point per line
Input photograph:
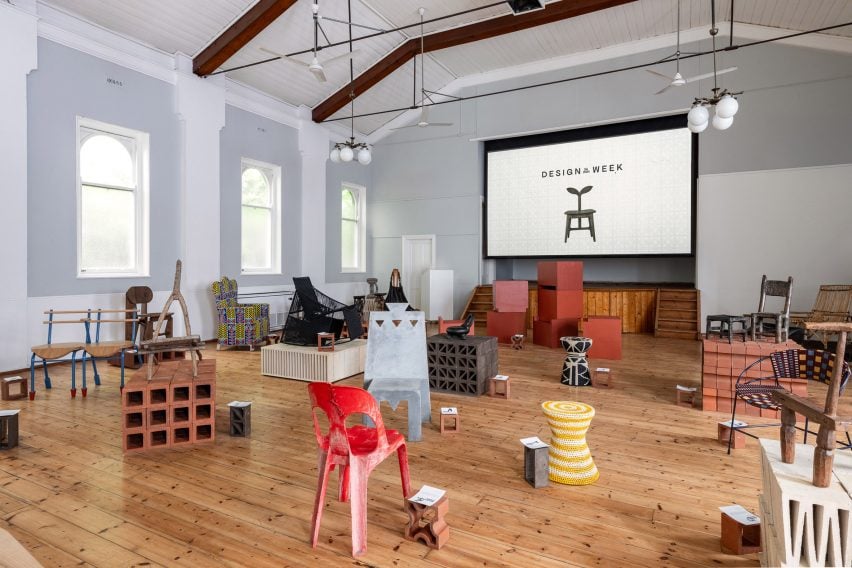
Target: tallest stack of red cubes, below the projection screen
x=560 y=301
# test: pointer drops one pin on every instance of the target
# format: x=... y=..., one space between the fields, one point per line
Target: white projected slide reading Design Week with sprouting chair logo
x=640 y=198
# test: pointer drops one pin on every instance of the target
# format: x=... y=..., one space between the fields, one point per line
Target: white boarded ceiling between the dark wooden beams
x=188 y=26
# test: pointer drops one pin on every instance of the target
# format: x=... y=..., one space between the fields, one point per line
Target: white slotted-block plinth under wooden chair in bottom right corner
x=804 y=525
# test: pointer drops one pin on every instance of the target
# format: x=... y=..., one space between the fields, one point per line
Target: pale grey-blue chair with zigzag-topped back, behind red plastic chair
x=396 y=367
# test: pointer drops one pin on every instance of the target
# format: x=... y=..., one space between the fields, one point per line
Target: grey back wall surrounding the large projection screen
x=794 y=113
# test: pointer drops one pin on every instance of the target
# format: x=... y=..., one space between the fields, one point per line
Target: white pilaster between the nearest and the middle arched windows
x=200 y=106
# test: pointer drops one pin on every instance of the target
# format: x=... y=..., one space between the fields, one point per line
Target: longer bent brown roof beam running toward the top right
x=457 y=36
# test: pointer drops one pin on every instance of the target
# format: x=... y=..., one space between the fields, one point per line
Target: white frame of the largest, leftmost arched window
x=141 y=193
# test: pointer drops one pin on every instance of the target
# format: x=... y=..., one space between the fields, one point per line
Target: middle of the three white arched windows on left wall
x=261 y=220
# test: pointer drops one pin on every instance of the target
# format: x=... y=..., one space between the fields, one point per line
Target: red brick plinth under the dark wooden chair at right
x=722 y=364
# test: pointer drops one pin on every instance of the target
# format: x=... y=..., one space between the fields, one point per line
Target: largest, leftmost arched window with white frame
x=112 y=196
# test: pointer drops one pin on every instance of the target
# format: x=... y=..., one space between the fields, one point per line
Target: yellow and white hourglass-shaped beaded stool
x=570 y=460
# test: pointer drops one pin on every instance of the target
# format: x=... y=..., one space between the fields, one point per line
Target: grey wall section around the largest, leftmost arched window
x=68 y=84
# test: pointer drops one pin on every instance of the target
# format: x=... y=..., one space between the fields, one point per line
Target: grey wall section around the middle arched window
x=248 y=135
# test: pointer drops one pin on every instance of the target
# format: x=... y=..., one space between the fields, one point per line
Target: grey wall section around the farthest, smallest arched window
x=336 y=175
